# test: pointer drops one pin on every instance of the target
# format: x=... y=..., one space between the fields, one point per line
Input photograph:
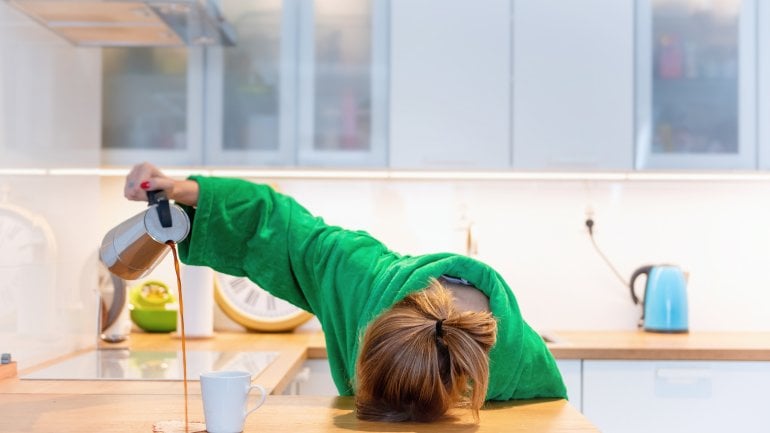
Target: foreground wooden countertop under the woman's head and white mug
x=121 y=413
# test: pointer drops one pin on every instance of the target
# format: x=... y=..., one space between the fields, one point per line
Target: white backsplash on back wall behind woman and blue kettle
x=533 y=233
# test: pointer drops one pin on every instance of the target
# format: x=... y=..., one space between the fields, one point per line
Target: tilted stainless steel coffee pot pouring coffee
x=133 y=248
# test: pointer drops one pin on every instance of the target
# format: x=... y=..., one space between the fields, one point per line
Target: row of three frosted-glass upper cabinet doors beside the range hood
x=305 y=85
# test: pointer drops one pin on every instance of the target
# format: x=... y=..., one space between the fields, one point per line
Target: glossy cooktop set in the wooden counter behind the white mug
x=124 y=364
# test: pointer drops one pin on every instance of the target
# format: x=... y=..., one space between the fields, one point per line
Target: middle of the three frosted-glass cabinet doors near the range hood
x=251 y=87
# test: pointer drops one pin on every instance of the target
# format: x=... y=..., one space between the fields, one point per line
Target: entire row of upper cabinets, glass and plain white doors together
x=453 y=84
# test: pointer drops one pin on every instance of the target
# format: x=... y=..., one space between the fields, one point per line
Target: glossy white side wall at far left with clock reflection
x=49 y=105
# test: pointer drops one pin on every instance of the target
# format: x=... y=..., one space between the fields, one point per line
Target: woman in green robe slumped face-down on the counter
x=409 y=336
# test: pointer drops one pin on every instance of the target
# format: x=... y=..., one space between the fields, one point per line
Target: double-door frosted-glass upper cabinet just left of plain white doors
x=304 y=85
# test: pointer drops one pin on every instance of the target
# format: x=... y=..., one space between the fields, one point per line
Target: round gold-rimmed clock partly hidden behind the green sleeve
x=253 y=307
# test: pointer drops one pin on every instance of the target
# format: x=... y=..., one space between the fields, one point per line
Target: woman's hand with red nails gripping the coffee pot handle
x=146 y=177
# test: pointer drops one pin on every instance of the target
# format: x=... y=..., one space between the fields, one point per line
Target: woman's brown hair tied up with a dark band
x=422 y=357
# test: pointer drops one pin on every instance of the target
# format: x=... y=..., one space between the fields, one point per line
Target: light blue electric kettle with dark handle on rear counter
x=665 y=298
